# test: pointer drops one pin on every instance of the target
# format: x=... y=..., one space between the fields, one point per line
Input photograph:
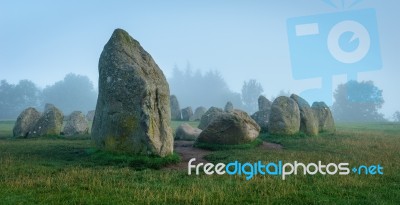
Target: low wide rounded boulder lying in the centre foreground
x=230 y=128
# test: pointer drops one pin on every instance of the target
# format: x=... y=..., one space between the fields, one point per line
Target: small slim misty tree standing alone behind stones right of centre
x=250 y=92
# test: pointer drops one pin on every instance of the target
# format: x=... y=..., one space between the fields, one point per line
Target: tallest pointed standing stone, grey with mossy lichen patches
x=133 y=111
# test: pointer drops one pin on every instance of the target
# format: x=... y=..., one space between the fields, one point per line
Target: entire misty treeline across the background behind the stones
x=354 y=101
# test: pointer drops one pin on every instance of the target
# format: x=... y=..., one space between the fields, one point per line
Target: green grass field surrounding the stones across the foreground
x=55 y=170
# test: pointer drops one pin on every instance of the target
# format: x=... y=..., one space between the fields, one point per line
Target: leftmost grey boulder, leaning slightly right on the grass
x=26 y=122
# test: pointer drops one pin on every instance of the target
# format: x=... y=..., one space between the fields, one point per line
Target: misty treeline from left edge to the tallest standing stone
x=74 y=92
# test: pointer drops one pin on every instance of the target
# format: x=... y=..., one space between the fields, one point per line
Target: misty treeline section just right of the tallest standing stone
x=194 y=88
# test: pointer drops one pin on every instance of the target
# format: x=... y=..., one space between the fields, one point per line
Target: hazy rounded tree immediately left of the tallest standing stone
x=74 y=93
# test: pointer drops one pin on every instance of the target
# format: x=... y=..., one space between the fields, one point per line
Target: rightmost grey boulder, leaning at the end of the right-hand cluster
x=324 y=117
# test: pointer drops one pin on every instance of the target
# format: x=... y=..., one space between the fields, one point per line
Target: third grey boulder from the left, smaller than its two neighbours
x=76 y=124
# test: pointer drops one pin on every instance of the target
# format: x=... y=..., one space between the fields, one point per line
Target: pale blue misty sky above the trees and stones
x=45 y=40
